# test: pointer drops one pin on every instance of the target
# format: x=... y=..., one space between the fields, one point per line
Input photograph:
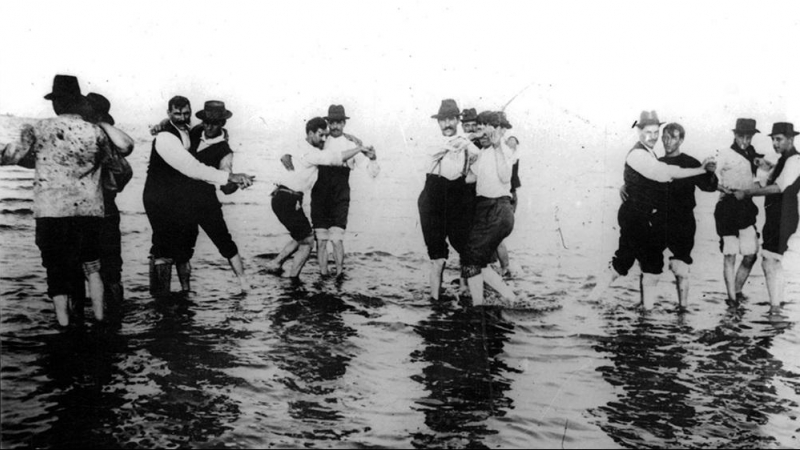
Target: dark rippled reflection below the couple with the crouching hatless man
x=315 y=350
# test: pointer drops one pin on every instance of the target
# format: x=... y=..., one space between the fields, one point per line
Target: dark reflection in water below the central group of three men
x=464 y=376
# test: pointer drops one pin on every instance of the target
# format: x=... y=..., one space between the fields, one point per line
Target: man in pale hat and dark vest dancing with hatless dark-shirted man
x=643 y=216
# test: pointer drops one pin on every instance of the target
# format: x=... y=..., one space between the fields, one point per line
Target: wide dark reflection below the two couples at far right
x=685 y=388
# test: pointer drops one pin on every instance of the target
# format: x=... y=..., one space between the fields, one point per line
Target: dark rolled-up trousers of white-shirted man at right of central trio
x=493 y=221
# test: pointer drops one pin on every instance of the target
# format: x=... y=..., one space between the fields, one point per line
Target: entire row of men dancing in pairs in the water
x=467 y=202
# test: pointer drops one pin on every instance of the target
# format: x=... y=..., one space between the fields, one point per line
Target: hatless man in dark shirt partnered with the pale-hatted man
x=681 y=225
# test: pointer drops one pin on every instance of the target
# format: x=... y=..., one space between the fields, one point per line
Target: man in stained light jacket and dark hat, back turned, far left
x=67 y=195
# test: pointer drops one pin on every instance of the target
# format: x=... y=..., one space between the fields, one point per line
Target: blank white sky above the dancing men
x=591 y=65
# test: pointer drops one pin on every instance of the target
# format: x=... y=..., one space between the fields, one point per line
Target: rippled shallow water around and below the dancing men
x=368 y=361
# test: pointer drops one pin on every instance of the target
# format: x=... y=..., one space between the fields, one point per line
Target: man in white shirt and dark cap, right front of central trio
x=493 y=219
